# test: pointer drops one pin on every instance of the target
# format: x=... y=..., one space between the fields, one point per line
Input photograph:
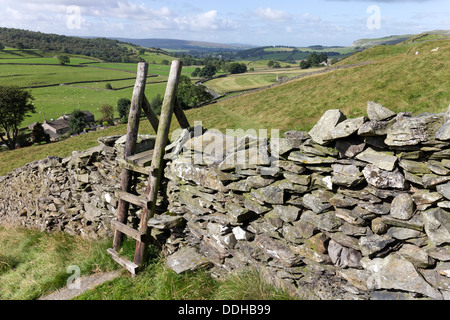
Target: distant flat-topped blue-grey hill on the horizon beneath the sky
x=175 y=44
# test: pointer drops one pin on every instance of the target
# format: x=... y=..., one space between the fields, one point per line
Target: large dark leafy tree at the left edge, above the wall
x=15 y=104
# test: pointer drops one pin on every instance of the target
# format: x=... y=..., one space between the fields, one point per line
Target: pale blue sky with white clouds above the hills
x=257 y=22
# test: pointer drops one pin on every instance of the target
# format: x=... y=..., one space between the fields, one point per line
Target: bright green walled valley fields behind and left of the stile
x=86 y=89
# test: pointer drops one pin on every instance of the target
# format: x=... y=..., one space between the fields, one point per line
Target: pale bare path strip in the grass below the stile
x=86 y=283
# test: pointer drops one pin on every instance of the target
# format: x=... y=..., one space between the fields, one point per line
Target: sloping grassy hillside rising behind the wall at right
x=397 y=78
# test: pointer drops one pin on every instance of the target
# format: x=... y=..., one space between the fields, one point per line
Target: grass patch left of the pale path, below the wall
x=34 y=263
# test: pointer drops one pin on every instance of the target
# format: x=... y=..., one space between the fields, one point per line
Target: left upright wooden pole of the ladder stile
x=130 y=146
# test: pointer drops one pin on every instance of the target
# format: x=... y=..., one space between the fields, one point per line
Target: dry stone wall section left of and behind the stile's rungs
x=74 y=194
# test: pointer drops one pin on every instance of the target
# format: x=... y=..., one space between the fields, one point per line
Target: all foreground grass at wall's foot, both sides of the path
x=34 y=263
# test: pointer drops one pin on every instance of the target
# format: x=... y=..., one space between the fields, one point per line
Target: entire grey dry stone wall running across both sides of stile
x=353 y=209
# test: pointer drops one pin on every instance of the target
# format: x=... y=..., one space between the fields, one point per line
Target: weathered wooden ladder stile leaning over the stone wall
x=150 y=163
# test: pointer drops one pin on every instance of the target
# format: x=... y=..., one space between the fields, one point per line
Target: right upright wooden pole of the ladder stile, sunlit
x=162 y=138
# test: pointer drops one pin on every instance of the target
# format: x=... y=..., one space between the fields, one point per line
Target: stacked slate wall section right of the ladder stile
x=356 y=208
